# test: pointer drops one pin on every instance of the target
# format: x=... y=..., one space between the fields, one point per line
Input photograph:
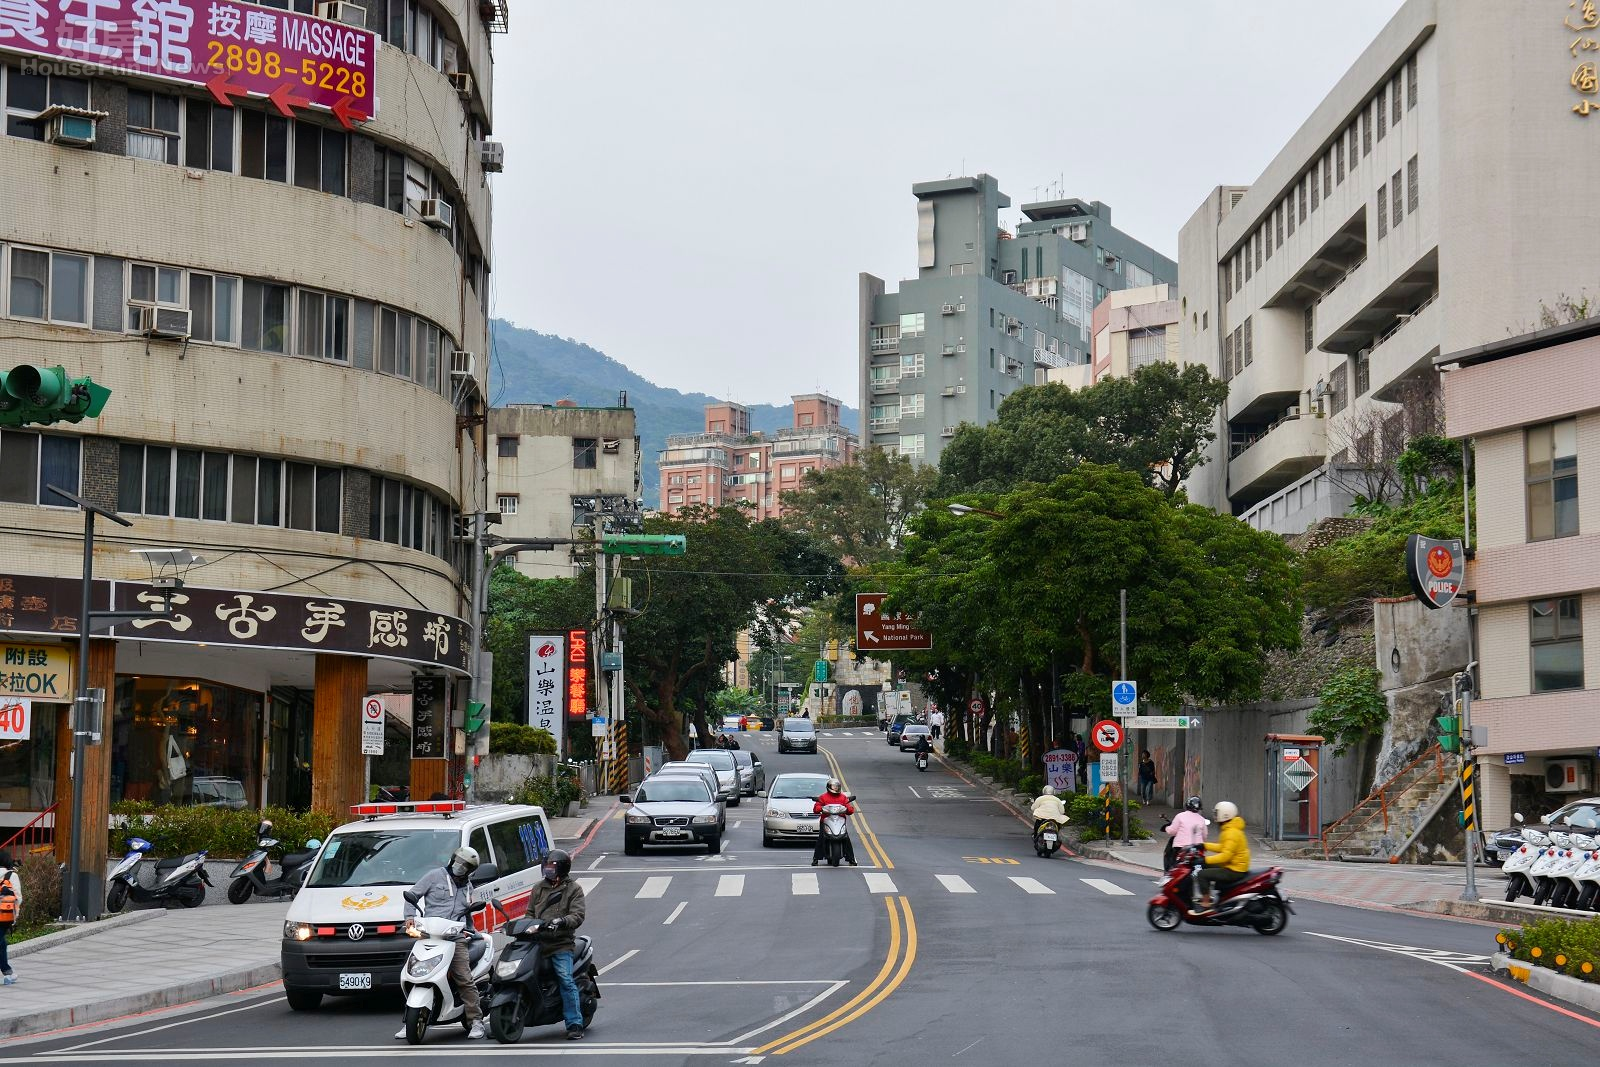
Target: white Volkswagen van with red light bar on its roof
x=345 y=932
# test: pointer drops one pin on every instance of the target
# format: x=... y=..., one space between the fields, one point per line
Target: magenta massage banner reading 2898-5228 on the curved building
x=231 y=49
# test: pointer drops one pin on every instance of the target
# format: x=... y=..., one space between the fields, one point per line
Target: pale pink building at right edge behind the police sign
x=1530 y=406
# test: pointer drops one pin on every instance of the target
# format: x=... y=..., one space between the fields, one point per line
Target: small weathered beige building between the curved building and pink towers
x=556 y=470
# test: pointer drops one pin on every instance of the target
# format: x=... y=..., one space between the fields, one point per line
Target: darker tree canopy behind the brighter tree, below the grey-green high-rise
x=1156 y=425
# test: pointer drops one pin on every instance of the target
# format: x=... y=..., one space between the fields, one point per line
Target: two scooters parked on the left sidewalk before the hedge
x=185 y=879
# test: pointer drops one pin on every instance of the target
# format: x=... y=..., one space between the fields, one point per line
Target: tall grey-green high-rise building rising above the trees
x=988 y=313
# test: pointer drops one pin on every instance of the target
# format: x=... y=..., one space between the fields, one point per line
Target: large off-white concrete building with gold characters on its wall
x=1434 y=199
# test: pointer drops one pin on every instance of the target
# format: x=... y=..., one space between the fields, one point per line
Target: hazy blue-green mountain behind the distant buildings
x=535 y=367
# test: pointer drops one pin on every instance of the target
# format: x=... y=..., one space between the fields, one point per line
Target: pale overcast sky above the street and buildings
x=692 y=186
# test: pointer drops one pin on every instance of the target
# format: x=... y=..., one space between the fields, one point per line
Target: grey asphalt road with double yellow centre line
x=951 y=943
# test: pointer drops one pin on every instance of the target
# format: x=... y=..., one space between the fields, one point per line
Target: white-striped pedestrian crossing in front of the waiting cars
x=818 y=884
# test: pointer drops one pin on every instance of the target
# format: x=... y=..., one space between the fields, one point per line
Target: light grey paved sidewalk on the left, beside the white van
x=159 y=959
